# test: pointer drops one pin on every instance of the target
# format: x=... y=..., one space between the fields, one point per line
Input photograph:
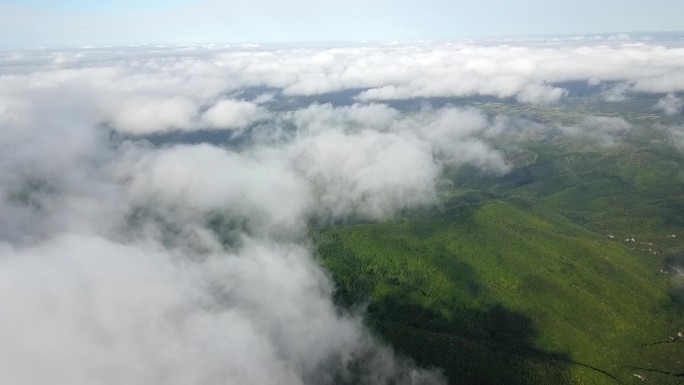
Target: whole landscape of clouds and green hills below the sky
x=497 y=212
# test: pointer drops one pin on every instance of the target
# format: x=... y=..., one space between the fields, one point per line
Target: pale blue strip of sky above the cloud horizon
x=29 y=23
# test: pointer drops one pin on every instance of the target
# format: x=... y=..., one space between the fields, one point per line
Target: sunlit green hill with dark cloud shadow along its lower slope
x=496 y=293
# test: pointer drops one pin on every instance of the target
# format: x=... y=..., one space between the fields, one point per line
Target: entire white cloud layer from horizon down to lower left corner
x=127 y=262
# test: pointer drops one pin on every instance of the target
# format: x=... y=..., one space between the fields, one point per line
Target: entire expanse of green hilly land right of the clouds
x=532 y=278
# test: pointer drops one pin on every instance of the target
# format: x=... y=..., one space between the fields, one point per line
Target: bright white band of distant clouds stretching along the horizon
x=150 y=89
